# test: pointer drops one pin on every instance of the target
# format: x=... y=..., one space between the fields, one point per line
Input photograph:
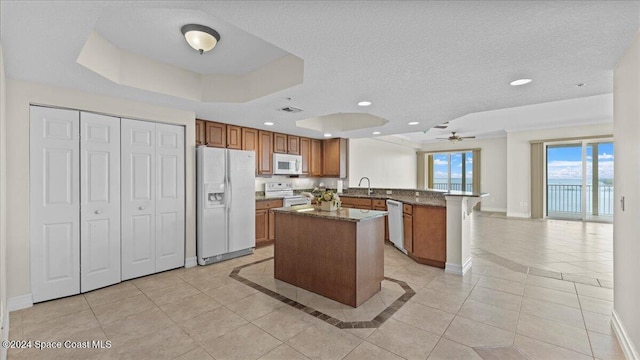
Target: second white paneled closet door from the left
x=100 y=201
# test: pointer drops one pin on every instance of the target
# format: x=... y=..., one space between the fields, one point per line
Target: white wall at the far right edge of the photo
x=626 y=247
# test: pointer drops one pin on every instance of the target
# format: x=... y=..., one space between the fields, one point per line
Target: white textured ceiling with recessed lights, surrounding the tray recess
x=416 y=61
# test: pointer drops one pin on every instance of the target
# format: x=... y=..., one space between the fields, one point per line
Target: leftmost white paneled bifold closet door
x=54 y=200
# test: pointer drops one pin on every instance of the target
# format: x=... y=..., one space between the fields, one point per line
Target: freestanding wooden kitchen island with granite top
x=336 y=254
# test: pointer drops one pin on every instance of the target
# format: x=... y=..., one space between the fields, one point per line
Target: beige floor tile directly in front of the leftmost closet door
x=53 y=309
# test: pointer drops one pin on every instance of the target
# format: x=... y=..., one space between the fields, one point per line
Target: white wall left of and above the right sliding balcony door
x=519 y=161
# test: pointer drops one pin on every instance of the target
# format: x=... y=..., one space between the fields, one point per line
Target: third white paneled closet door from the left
x=138 y=153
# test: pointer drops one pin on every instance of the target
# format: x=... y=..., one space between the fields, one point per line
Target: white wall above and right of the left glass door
x=493 y=167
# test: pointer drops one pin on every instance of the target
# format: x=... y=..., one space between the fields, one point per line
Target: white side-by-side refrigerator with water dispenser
x=225 y=204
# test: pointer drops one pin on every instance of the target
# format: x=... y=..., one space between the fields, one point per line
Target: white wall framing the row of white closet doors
x=20 y=95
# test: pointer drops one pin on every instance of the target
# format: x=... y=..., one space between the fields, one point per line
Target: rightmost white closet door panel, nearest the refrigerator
x=170 y=238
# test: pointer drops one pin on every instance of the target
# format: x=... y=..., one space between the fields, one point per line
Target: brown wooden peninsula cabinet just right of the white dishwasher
x=425 y=233
